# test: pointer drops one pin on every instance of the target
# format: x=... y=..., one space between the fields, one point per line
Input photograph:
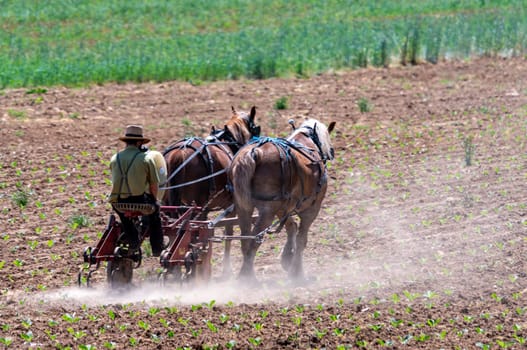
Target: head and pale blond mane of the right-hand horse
x=319 y=133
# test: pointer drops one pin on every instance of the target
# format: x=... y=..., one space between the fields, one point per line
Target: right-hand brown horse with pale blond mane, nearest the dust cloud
x=281 y=178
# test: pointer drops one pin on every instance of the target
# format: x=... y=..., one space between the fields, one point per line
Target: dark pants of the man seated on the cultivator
x=153 y=221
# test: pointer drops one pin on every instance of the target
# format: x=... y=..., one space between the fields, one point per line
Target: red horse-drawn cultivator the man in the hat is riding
x=187 y=256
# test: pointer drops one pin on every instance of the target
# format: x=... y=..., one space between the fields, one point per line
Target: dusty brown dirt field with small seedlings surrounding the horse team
x=413 y=248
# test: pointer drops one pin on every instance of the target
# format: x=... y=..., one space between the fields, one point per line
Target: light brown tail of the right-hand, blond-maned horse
x=241 y=174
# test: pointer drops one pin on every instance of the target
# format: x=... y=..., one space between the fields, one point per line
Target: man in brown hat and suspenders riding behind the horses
x=135 y=180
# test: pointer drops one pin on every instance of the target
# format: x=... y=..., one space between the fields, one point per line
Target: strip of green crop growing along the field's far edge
x=81 y=42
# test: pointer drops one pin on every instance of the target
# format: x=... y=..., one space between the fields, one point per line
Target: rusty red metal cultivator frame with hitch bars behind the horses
x=189 y=246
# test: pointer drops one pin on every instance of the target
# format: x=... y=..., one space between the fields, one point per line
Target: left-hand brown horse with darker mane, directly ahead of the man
x=197 y=168
